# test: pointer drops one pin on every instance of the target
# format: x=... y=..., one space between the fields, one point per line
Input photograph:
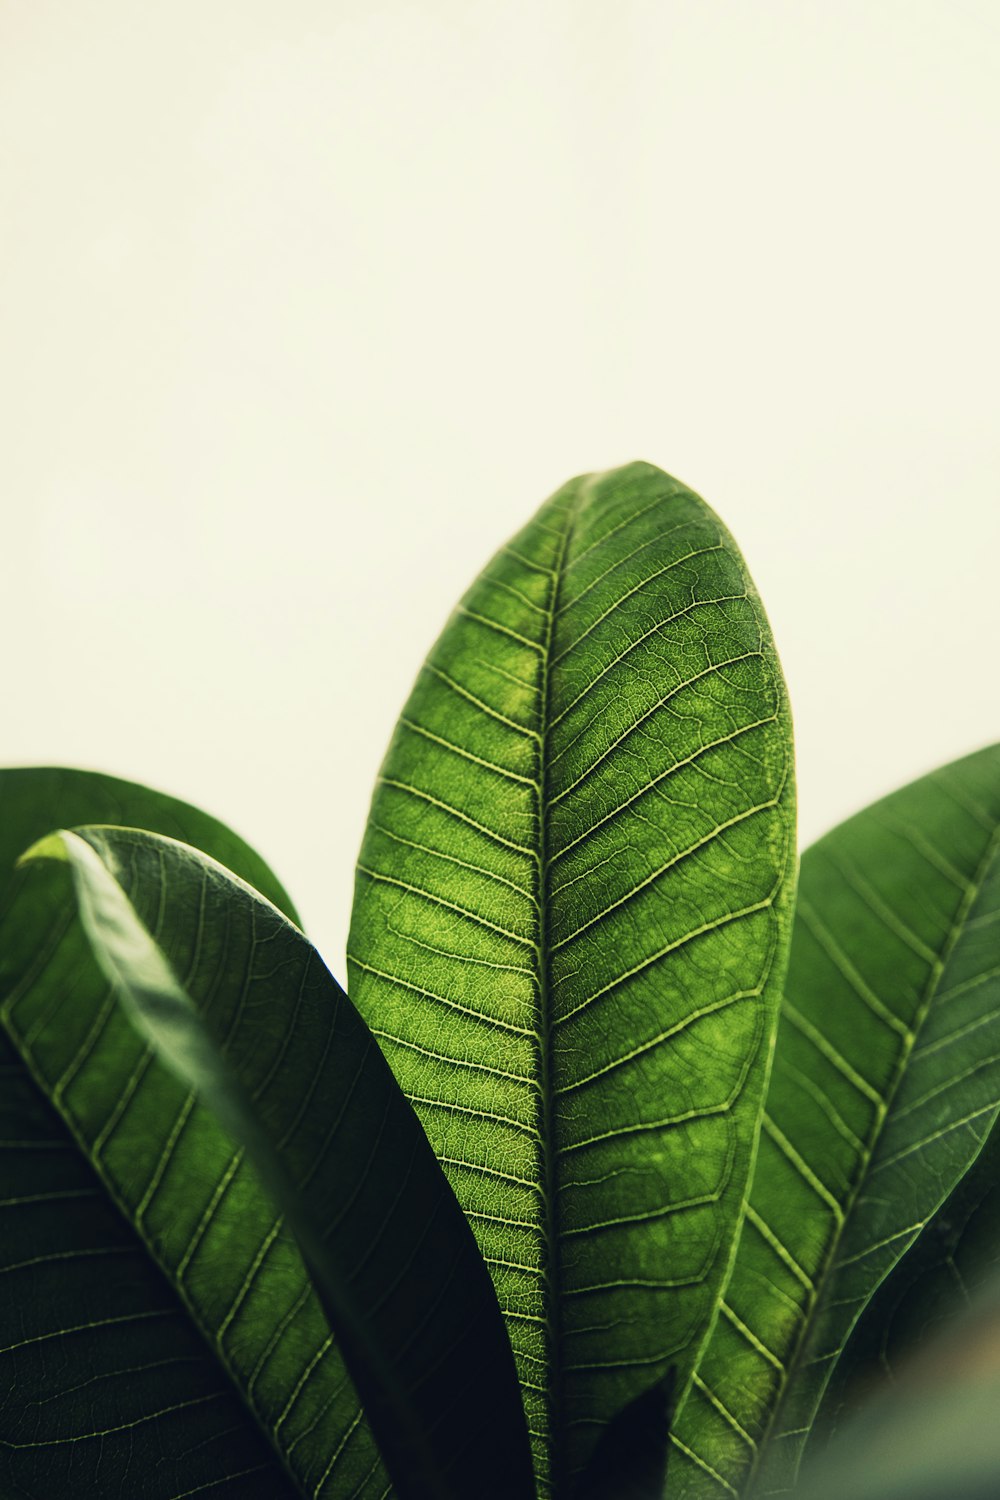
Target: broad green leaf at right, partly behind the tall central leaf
x=885 y=1085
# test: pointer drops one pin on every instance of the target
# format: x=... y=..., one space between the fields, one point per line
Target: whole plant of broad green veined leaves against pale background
x=621 y=1169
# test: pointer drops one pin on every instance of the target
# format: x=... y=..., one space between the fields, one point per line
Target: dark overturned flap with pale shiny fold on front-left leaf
x=349 y=1271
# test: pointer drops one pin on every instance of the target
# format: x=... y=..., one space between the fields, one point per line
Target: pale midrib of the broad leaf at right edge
x=882 y=1115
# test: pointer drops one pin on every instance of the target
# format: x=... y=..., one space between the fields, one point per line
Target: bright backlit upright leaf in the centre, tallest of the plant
x=573 y=895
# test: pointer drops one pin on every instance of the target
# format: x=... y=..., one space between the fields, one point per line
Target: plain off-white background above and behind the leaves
x=308 y=304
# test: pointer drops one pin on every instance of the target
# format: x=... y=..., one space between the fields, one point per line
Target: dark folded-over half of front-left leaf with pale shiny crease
x=332 y=1139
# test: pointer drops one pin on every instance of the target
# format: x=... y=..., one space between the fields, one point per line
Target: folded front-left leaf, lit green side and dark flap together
x=239 y=982
